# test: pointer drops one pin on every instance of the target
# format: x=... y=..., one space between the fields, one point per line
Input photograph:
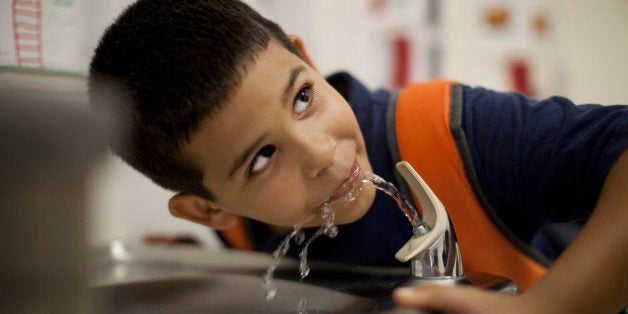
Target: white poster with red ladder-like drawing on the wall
x=44 y=34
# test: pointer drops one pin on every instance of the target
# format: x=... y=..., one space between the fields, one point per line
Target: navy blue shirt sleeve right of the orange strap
x=540 y=161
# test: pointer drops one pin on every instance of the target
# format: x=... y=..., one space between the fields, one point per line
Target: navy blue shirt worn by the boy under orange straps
x=537 y=162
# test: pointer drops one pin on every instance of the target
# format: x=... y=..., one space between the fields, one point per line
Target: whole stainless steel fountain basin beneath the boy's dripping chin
x=175 y=279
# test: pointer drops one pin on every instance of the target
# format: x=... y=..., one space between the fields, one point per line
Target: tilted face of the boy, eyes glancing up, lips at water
x=285 y=143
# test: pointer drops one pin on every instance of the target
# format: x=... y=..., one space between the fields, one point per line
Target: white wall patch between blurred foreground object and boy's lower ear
x=127 y=206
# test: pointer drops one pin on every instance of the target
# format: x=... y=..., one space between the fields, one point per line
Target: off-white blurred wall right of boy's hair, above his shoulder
x=581 y=56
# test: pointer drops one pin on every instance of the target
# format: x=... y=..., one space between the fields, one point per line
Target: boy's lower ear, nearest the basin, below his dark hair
x=202 y=211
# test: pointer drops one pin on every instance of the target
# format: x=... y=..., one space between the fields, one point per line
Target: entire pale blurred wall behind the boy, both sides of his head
x=581 y=55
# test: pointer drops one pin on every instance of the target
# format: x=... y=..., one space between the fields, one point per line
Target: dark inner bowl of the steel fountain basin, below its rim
x=222 y=293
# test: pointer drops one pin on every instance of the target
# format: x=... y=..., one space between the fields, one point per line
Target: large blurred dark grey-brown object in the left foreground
x=48 y=145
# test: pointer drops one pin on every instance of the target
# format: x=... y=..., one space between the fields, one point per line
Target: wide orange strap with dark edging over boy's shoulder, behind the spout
x=425 y=120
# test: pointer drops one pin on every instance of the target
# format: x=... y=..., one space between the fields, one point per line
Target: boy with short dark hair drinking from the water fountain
x=211 y=100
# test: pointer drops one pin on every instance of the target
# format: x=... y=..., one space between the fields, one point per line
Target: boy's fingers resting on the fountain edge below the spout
x=434 y=298
